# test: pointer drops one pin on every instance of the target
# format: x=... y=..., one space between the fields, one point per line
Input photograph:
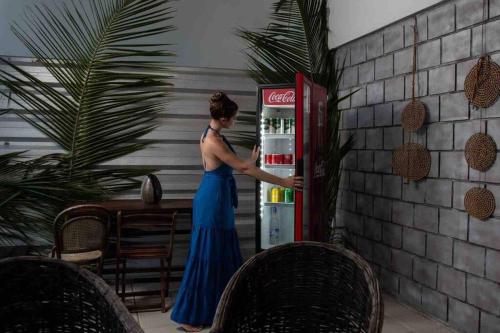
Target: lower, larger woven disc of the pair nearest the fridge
x=411 y=161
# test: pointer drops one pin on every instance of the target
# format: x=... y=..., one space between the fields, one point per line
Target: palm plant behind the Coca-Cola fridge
x=296 y=40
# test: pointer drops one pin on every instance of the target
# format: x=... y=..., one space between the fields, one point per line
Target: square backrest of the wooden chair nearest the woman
x=144 y=228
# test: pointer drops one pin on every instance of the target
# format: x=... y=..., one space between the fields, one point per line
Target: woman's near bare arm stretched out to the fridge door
x=223 y=153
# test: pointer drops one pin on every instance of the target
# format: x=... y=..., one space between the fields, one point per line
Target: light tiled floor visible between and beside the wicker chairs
x=399 y=318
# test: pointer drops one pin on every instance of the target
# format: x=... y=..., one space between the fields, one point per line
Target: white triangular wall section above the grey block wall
x=350 y=19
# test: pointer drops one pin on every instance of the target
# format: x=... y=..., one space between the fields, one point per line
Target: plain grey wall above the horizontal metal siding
x=205 y=35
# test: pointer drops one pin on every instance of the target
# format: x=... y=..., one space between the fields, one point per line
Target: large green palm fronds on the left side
x=111 y=85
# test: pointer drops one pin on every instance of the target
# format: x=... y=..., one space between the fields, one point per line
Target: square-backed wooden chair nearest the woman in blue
x=130 y=244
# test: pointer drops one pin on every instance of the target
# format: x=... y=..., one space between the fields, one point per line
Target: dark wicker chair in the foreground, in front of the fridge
x=301 y=287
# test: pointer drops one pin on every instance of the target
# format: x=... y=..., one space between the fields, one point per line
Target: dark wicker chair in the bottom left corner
x=48 y=295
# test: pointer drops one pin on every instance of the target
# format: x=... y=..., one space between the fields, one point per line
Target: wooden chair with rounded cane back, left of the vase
x=81 y=235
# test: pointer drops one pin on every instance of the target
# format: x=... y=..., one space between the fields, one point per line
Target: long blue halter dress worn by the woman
x=214 y=253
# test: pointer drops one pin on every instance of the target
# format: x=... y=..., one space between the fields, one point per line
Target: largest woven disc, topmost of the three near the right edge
x=482 y=84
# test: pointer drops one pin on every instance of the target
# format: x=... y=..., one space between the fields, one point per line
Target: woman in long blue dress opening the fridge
x=214 y=254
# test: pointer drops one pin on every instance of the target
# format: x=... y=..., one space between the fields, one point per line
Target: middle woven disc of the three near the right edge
x=480 y=151
